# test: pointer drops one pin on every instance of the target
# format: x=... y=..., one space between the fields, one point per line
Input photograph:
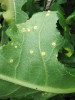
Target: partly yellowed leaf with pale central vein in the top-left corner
x=14 y=11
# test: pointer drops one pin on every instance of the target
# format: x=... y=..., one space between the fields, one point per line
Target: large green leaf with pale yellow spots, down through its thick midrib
x=30 y=58
